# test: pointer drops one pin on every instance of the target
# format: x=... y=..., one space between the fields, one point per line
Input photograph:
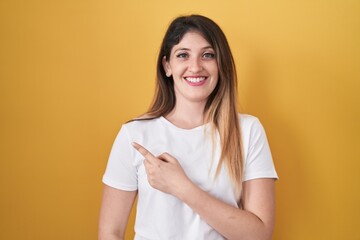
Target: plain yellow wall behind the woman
x=71 y=72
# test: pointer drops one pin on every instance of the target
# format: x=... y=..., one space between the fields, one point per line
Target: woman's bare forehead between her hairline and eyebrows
x=192 y=40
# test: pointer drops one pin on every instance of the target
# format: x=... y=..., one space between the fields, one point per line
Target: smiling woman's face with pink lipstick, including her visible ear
x=193 y=66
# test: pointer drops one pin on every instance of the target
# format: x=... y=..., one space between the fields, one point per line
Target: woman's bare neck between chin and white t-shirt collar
x=187 y=115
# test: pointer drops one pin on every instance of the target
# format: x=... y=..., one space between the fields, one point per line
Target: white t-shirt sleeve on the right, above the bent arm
x=258 y=163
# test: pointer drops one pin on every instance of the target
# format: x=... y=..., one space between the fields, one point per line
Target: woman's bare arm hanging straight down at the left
x=115 y=210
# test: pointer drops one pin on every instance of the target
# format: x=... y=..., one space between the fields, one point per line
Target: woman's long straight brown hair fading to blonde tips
x=220 y=109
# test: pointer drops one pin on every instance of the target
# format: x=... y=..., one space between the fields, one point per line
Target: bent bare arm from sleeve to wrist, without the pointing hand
x=255 y=221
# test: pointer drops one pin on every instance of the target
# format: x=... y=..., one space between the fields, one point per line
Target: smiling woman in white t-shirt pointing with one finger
x=200 y=169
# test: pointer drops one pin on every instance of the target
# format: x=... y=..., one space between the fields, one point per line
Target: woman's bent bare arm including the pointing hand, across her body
x=255 y=221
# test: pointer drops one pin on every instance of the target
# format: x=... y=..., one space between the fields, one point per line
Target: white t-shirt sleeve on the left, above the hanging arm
x=121 y=172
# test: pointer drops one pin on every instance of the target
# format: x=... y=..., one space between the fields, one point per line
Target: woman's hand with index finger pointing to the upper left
x=163 y=172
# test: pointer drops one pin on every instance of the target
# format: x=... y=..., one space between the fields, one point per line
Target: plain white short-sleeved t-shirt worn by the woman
x=161 y=216
